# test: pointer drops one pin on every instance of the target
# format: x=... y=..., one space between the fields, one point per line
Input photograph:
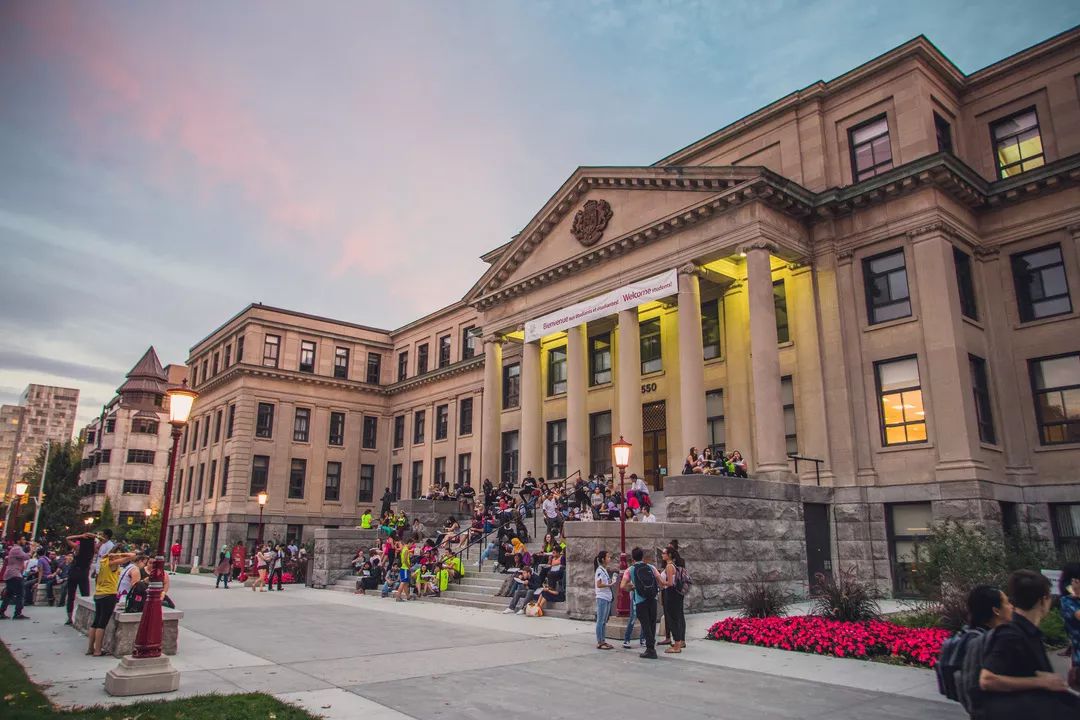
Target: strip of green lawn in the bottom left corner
x=21 y=700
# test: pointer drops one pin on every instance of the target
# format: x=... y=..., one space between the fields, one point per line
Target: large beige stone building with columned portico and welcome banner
x=874 y=274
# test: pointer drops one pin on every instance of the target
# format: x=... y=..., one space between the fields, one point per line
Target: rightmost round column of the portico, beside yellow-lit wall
x=769 y=443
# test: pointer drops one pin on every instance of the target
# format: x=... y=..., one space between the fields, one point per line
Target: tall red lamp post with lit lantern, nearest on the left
x=148 y=639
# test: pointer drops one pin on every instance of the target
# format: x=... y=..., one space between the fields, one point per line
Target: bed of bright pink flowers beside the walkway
x=830 y=637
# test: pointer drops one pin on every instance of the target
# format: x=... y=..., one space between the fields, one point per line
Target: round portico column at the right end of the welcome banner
x=692 y=369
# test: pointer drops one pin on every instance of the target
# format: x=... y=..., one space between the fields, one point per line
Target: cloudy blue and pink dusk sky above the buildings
x=163 y=166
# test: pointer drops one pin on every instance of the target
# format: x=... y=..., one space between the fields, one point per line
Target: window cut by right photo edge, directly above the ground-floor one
x=1056 y=385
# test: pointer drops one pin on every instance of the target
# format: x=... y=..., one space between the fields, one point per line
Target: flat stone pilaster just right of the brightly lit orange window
x=952 y=406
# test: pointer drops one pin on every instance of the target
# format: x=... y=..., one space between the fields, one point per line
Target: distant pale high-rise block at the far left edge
x=45 y=414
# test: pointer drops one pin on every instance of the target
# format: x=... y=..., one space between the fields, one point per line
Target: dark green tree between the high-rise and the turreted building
x=60 y=508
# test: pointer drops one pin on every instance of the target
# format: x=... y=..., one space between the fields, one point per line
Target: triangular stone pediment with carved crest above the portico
x=643 y=203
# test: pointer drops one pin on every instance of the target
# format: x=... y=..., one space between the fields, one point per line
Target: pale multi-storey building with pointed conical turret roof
x=126 y=452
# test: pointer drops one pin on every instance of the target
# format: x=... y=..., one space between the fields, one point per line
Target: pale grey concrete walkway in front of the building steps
x=347 y=657
